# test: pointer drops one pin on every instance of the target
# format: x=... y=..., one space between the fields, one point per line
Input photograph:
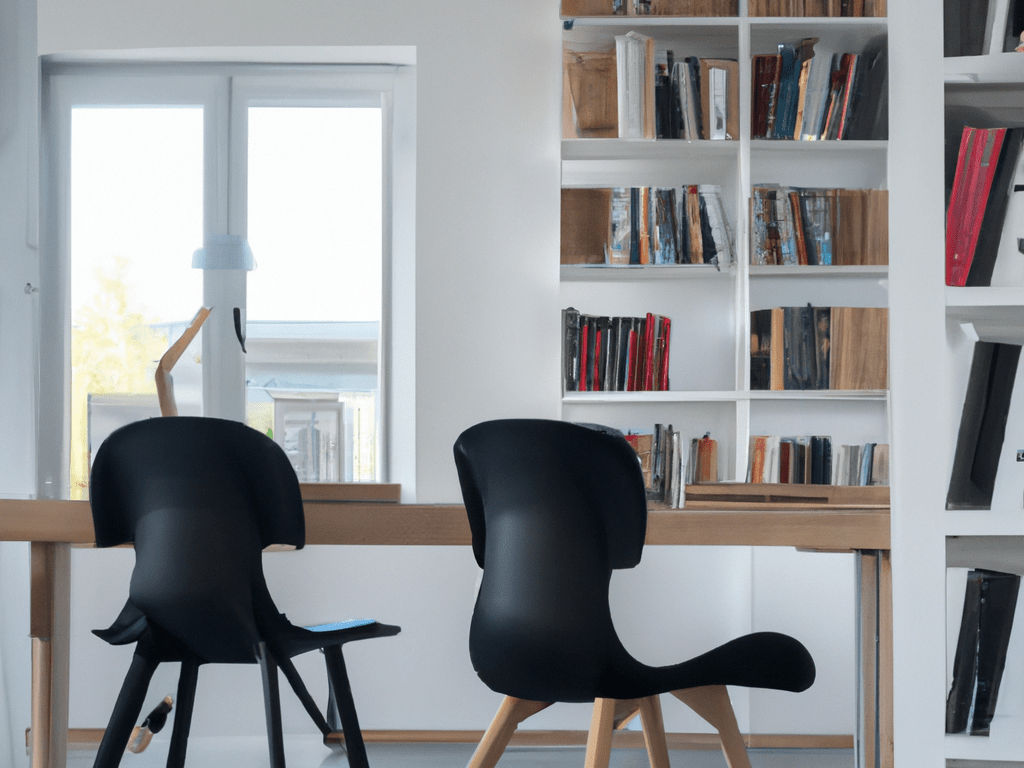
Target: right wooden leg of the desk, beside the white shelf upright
x=875 y=716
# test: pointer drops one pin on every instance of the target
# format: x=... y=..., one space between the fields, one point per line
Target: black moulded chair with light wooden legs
x=553 y=508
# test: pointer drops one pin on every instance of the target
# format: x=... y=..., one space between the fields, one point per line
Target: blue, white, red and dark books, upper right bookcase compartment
x=808 y=92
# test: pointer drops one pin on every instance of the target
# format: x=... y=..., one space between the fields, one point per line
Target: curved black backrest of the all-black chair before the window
x=200 y=499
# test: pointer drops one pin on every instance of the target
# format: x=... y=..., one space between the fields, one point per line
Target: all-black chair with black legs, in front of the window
x=200 y=499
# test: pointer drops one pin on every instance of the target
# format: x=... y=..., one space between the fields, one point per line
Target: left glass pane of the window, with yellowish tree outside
x=137 y=217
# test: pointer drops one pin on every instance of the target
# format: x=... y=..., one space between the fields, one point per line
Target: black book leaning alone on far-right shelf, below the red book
x=984 y=425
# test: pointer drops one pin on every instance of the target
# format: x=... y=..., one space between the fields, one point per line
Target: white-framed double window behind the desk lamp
x=148 y=164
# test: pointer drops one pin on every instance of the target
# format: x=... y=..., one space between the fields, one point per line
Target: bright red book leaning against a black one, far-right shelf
x=976 y=166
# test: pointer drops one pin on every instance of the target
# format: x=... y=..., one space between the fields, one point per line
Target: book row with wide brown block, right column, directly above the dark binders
x=820 y=228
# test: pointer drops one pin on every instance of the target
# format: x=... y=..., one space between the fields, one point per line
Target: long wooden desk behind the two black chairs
x=54 y=527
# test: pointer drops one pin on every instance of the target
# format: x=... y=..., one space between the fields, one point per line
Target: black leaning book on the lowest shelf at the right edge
x=990 y=604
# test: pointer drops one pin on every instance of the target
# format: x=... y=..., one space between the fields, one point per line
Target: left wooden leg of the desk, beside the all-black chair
x=51 y=632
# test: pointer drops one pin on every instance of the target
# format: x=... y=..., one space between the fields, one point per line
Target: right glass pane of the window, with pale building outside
x=314 y=305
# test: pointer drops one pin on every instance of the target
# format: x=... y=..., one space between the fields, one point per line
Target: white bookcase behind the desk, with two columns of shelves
x=710 y=309
